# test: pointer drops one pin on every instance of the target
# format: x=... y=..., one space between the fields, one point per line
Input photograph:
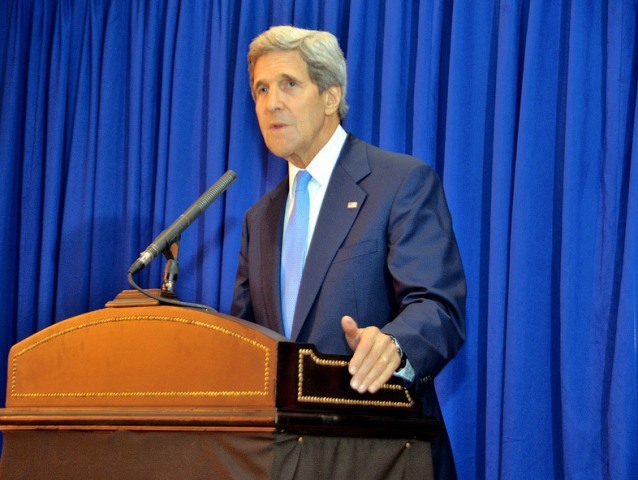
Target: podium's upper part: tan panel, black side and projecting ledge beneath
x=167 y=367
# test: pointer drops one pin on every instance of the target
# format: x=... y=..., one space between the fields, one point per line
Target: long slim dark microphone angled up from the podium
x=165 y=239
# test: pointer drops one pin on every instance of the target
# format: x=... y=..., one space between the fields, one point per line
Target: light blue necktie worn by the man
x=293 y=251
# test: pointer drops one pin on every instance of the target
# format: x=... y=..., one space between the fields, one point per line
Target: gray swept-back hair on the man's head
x=320 y=50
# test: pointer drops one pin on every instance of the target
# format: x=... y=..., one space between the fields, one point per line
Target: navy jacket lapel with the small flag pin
x=341 y=205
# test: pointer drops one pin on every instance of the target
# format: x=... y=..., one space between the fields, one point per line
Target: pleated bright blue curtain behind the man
x=117 y=115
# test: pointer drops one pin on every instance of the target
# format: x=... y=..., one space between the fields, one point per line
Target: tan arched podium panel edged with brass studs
x=144 y=356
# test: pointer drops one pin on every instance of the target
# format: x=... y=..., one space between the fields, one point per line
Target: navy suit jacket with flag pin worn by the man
x=383 y=252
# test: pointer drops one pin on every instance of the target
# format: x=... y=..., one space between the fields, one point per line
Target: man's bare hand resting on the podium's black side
x=374 y=361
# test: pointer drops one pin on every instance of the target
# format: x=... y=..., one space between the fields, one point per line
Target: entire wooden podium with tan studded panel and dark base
x=169 y=392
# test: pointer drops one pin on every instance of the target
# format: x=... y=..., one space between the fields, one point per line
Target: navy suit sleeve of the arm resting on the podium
x=427 y=275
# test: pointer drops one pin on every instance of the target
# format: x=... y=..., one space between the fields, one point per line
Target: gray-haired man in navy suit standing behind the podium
x=382 y=276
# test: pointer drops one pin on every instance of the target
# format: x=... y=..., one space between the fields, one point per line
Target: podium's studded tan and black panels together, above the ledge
x=167 y=356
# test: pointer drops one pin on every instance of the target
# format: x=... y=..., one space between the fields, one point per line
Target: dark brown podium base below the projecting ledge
x=142 y=455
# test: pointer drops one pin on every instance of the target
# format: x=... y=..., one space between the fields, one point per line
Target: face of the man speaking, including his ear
x=296 y=120
